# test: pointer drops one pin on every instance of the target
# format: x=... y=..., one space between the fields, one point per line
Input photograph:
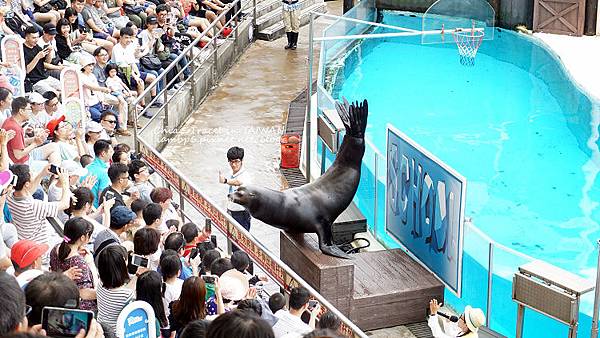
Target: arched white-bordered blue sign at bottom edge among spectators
x=136 y=321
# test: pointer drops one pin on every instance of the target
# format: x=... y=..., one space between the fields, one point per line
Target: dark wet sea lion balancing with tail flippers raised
x=315 y=206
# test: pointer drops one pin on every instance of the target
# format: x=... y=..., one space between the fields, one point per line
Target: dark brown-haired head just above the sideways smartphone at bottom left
x=50 y=289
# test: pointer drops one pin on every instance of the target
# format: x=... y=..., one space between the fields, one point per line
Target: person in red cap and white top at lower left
x=26 y=257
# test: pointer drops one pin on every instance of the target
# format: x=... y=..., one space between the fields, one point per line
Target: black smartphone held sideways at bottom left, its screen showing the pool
x=62 y=322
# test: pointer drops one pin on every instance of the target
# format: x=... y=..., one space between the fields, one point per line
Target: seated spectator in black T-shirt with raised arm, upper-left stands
x=37 y=77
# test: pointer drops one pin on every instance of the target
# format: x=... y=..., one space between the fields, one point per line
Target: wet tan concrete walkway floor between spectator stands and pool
x=248 y=109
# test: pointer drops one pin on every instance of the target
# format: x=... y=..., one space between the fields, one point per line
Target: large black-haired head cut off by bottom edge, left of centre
x=239 y=324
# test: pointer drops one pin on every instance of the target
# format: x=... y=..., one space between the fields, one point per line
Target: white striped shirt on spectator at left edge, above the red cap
x=29 y=217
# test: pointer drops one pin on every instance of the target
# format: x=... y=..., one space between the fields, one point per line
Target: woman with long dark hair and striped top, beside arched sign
x=113 y=292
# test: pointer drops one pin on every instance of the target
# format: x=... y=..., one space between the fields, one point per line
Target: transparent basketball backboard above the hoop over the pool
x=449 y=15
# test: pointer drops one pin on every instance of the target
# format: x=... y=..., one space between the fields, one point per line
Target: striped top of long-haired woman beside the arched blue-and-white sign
x=110 y=304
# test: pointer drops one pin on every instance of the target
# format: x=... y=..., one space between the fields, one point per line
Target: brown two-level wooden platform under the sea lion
x=375 y=289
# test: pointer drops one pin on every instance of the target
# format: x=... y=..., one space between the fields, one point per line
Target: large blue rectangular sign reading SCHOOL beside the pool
x=425 y=207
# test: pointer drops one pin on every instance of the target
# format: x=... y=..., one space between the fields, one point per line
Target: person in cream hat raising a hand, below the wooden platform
x=467 y=326
